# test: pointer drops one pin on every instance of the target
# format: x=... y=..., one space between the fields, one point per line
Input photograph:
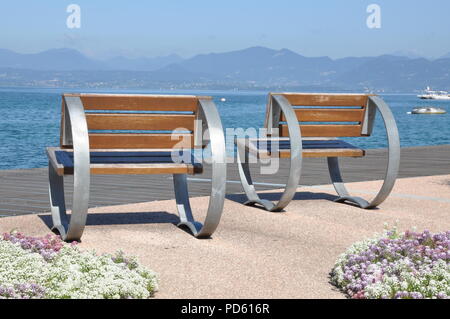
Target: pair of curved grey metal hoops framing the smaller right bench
x=278 y=102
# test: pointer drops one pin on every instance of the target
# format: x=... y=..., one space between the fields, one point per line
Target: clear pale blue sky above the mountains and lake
x=188 y=27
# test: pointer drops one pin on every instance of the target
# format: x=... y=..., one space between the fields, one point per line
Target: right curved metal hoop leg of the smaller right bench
x=391 y=170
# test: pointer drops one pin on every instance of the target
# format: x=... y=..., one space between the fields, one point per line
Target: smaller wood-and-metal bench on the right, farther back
x=308 y=125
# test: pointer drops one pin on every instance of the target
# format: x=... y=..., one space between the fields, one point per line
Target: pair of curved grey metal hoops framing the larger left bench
x=72 y=228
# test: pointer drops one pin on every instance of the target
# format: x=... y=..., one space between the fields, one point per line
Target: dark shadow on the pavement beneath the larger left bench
x=131 y=218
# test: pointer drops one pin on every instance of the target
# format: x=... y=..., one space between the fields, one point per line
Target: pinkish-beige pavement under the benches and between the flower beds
x=254 y=253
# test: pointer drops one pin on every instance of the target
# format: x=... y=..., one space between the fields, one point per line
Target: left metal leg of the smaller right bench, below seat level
x=249 y=188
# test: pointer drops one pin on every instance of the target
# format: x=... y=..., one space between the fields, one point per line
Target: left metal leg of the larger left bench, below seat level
x=70 y=229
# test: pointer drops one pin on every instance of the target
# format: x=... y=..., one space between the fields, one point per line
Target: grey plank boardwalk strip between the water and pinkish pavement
x=26 y=191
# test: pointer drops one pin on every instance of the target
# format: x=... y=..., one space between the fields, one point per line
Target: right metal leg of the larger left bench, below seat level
x=214 y=212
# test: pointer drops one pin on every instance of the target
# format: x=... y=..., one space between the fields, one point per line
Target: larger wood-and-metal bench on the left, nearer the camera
x=135 y=134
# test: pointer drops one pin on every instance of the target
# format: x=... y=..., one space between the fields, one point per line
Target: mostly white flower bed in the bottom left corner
x=47 y=267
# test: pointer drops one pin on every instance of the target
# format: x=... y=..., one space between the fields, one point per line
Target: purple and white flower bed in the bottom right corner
x=396 y=265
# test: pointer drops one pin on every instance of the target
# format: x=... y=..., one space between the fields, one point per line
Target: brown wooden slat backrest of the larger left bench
x=126 y=121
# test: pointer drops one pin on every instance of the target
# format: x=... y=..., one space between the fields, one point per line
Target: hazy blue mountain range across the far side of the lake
x=252 y=68
